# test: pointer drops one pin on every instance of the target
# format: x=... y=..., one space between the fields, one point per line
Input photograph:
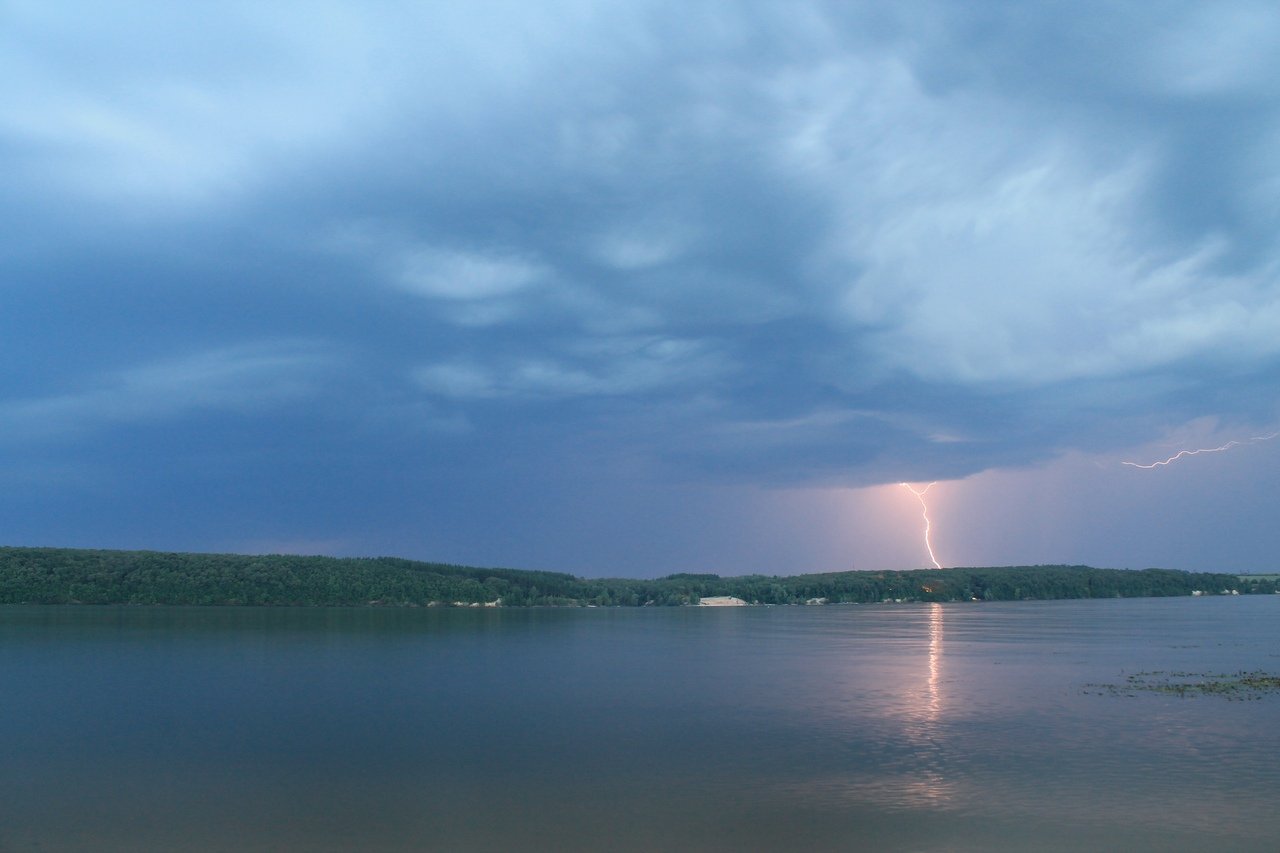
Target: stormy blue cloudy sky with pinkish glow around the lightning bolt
x=648 y=288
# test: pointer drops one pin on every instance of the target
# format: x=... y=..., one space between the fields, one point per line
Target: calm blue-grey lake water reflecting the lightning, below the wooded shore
x=880 y=728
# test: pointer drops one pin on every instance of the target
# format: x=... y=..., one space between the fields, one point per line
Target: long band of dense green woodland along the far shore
x=80 y=577
